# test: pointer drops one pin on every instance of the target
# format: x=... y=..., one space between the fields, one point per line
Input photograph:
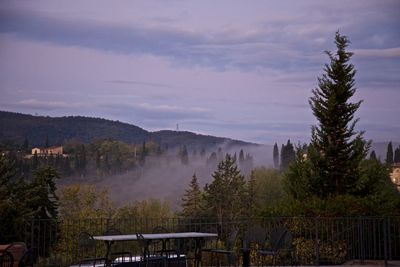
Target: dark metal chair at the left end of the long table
x=87 y=253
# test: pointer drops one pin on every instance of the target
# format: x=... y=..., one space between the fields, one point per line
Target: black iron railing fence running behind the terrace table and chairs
x=316 y=241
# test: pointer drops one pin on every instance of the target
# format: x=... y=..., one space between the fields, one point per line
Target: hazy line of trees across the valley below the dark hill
x=107 y=157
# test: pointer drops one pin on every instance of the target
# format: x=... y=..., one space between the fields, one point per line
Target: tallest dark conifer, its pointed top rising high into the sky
x=338 y=148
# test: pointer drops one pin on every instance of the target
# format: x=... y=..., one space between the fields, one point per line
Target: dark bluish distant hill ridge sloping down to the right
x=16 y=127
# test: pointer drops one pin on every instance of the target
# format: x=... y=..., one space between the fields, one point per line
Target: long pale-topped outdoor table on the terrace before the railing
x=197 y=236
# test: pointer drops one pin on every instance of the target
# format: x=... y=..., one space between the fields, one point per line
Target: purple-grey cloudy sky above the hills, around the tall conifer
x=237 y=69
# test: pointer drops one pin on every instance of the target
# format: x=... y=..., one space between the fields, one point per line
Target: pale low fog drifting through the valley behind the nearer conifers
x=166 y=178
